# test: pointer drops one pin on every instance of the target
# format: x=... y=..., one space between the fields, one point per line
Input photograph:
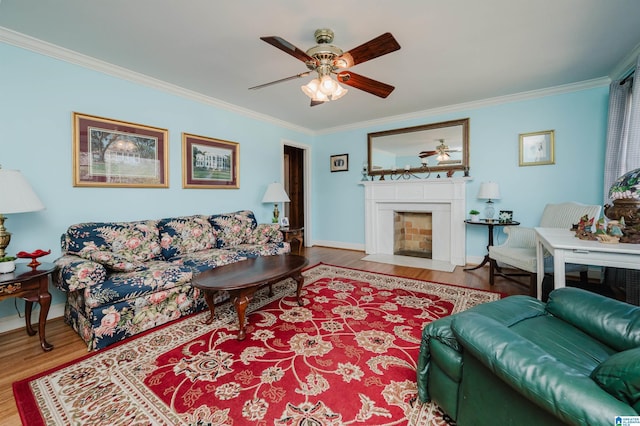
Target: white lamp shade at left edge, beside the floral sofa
x=16 y=195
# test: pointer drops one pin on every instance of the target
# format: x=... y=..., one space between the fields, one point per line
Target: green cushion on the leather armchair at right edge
x=620 y=376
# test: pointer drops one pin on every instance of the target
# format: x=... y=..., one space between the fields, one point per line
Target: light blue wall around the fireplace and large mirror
x=579 y=119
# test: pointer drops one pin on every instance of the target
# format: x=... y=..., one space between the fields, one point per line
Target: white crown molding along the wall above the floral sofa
x=48 y=49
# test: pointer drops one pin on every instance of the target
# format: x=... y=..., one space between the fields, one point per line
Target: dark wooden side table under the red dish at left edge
x=32 y=286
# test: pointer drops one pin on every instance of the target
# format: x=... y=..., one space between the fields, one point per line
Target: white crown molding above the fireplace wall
x=532 y=94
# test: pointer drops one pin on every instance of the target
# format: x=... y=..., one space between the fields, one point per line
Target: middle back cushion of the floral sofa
x=187 y=234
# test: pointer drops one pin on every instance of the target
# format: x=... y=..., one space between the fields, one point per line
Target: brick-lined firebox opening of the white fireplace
x=413 y=234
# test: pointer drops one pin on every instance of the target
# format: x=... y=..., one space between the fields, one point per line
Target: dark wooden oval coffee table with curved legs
x=242 y=279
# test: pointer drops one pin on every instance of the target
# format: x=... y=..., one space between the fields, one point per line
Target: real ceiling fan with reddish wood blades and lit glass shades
x=327 y=59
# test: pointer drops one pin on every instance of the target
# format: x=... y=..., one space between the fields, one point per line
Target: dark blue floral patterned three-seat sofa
x=123 y=278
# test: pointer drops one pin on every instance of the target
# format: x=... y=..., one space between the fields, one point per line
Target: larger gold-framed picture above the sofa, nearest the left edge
x=114 y=153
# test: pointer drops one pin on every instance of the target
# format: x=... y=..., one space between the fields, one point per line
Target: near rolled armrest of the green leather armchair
x=541 y=378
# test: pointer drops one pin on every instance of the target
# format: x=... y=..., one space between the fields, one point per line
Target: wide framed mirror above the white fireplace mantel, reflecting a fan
x=421 y=149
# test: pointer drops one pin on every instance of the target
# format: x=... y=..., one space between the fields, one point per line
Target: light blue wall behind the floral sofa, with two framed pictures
x=37 y=97
